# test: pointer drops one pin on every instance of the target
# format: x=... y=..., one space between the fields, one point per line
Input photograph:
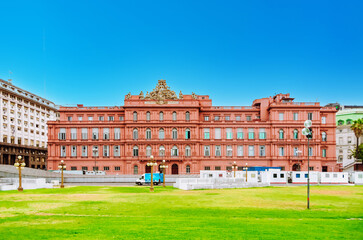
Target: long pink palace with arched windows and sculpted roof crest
x=192 y=135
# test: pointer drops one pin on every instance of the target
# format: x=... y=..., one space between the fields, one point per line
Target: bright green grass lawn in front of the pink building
x=135 y=213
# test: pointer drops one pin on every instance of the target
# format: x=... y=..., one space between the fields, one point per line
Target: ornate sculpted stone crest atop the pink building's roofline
x=161 y=93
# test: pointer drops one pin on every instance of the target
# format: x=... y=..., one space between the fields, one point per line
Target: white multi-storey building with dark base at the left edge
x=23 y=125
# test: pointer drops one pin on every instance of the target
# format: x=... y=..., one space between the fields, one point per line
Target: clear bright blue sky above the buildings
x=95 y=52
